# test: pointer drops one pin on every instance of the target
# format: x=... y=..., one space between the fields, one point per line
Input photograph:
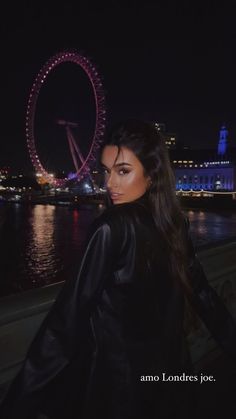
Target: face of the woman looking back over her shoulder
x=124 y=175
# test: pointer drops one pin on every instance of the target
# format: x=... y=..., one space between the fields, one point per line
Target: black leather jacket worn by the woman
x=120 y=319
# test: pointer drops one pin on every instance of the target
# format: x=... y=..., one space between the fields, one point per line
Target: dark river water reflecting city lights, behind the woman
x=42 y=244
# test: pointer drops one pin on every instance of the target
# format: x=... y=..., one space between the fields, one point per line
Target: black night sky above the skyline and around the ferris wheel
x=171 y=62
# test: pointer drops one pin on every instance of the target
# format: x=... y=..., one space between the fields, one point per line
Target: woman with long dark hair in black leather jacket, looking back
x=117 y=331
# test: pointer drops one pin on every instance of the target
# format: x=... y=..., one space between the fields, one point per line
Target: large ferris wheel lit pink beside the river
x=82 y=163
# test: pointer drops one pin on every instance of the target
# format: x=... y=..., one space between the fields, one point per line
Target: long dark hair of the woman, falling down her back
x=148 y=145
